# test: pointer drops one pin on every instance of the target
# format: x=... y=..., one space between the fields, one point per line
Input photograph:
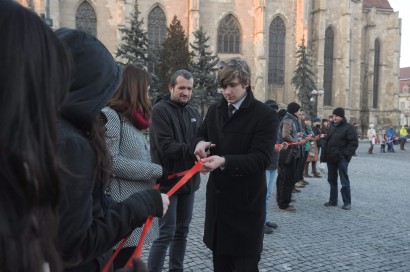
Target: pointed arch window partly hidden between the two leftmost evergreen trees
x=156 y=34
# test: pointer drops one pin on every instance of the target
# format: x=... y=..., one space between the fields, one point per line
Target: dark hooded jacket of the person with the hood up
x=88 y=229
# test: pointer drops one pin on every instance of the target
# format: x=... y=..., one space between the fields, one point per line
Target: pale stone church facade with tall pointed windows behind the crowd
x=354 y=44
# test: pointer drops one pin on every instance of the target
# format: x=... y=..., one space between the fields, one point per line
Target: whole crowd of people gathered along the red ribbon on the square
x=78 y=173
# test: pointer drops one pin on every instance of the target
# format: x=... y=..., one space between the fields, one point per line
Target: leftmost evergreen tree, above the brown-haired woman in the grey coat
x=134 y=48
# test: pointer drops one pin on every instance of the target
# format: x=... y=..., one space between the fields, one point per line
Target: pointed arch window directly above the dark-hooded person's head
x=86 y=19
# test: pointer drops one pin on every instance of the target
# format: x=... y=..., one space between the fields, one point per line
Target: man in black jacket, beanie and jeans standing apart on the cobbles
x=340 y=145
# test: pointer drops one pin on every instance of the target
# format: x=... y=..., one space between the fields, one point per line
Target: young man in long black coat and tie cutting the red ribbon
x=242 y=130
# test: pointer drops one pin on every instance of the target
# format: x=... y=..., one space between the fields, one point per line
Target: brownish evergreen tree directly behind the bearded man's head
x=174 y=54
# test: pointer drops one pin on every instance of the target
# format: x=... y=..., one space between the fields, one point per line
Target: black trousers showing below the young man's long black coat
x=226 y=263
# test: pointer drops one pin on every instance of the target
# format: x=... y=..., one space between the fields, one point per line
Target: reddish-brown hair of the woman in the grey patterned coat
x=132 y=94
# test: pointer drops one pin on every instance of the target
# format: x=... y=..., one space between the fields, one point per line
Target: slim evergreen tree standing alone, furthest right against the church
x=303 y=80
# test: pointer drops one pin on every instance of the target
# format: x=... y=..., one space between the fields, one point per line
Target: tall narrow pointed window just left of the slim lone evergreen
x=276 y=66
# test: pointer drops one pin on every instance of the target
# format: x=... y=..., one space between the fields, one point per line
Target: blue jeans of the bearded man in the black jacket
x=173 y=232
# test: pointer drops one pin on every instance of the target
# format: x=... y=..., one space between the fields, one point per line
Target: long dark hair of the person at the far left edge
x=34 y=77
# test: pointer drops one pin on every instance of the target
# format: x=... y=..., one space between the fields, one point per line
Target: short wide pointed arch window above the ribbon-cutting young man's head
x=229 y=35
